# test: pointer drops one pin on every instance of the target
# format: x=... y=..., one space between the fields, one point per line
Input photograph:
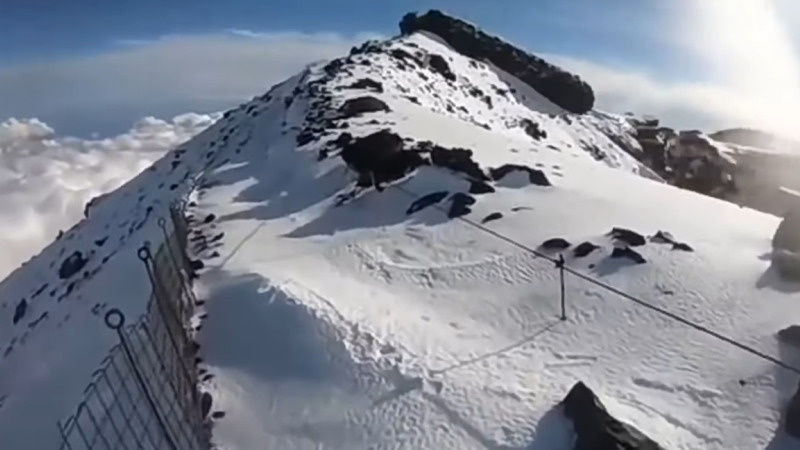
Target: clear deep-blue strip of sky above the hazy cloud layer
x=35 y=29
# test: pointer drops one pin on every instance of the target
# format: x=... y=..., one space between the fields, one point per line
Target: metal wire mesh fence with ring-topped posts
x=145 y=396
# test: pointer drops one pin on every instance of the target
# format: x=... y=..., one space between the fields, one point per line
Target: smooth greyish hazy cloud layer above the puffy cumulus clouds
x=164 y=77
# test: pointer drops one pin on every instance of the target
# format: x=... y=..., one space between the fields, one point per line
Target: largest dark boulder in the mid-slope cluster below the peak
x=380 y=157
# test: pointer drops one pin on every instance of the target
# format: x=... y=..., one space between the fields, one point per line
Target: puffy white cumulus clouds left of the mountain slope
x=46 y=180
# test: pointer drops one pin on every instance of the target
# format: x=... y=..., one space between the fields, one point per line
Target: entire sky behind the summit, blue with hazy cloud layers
x=88 y=66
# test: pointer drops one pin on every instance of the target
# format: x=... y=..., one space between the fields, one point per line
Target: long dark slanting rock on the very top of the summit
x=559 y=86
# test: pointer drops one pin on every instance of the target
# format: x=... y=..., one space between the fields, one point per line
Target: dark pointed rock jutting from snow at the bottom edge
x=596 y=429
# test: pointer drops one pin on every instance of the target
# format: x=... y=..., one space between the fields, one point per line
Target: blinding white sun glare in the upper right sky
x=745 y=45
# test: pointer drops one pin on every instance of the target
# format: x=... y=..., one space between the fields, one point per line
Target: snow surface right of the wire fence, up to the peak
x=374 y=329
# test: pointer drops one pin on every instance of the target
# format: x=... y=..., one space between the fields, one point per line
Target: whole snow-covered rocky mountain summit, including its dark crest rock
x=362 y=290
